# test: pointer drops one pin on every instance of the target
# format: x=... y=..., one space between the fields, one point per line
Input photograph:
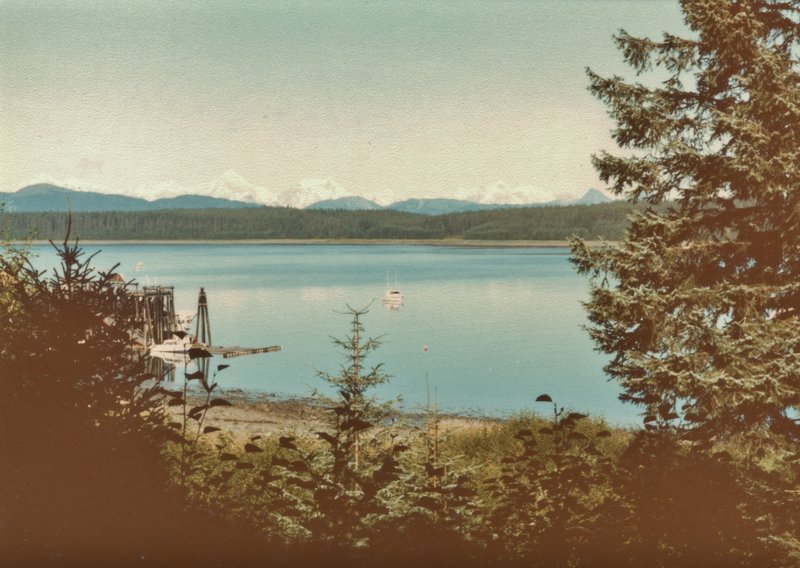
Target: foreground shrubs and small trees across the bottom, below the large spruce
x=524 y=491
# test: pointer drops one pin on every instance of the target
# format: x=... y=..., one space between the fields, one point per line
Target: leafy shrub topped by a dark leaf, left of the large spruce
x=551 y=493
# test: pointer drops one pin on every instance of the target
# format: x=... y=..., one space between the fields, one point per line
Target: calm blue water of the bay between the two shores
x=489 y=328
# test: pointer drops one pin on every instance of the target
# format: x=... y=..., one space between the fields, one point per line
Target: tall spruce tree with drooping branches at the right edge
x=699 y=305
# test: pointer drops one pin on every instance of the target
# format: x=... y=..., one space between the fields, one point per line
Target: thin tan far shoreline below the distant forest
x=457 y=243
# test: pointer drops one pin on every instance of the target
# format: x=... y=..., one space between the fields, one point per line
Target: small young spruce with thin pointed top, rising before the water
x=329 y=491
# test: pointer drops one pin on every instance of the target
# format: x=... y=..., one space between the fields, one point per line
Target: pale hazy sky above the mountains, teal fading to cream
x=386 y=99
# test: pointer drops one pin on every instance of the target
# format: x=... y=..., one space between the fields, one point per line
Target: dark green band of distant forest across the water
x=608 y=221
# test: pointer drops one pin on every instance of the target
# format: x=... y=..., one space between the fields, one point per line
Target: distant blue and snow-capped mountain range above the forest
x=237 y=193
